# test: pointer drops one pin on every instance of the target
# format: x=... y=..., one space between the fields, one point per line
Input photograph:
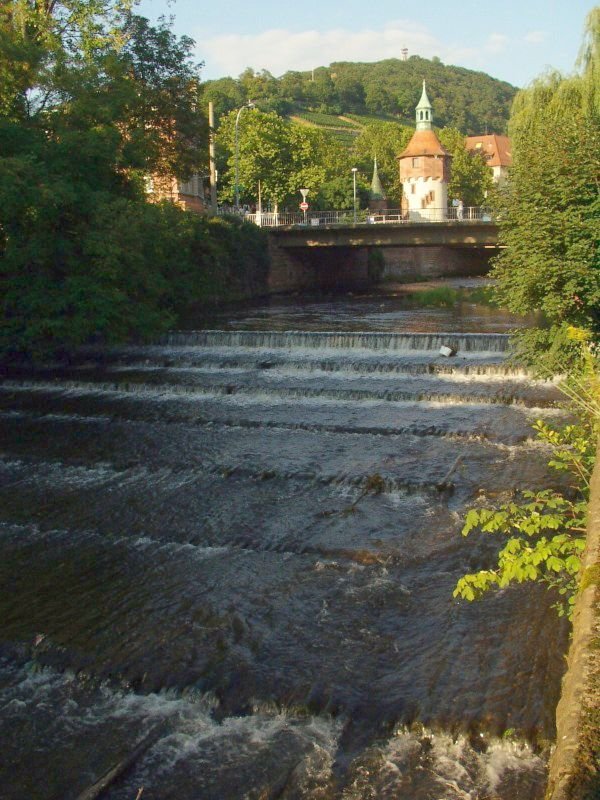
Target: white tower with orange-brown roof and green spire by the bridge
x=425 y=170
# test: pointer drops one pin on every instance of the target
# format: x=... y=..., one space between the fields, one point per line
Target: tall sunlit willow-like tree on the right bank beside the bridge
x=550 y=209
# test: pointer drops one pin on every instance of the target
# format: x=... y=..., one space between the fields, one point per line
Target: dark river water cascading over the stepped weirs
x=242 y=544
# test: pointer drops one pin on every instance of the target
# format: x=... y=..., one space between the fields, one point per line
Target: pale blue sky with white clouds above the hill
x=512 y=40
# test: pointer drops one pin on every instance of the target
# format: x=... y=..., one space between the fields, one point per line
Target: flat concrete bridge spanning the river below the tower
x=336 y=256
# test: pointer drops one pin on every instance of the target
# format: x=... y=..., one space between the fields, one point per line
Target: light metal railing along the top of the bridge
x=393 y=216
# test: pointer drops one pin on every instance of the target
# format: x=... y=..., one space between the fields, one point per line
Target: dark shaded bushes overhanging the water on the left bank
x=81 y=264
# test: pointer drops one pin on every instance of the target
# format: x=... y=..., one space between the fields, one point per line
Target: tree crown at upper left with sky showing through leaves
x=84 y=63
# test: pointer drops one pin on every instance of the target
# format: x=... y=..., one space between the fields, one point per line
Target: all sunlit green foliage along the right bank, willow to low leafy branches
x=550 y=226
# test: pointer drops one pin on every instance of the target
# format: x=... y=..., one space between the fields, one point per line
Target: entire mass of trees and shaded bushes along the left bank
x=92 y=100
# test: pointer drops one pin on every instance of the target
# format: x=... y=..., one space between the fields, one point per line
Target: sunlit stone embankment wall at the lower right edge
x=575 y=763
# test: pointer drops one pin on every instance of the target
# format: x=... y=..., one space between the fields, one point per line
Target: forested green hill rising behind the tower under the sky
x=345 y=96
